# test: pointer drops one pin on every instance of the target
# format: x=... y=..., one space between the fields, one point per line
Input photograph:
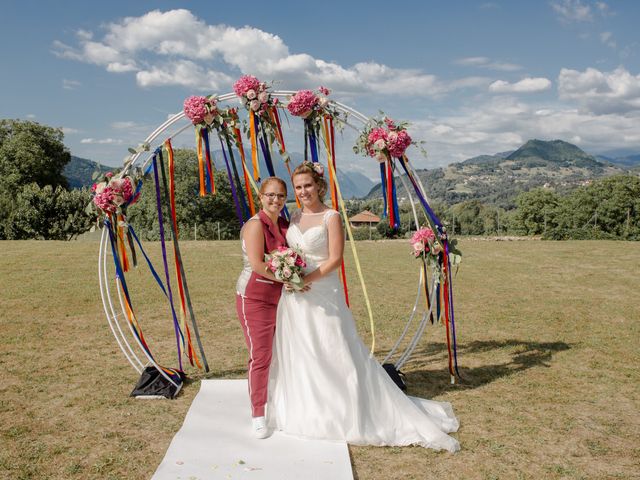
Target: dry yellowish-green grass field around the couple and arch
x=548 y=346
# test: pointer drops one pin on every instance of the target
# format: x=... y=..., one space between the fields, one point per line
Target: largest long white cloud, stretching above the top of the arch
x=173 y=47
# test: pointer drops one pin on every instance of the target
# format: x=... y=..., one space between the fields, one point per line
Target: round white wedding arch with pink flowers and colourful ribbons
x=382 y=139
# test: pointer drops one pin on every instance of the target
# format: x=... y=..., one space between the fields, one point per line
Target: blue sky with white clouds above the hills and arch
x=472 y=77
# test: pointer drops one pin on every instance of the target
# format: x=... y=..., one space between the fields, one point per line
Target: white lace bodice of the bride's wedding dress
x=308 y=232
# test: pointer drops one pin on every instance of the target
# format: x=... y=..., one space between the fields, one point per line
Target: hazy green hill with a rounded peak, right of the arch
x=498 y=179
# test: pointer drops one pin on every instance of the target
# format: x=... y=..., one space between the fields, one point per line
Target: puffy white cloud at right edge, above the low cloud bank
x=601 y=92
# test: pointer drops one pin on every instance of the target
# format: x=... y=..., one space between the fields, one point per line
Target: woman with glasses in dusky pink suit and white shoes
x=258 y=292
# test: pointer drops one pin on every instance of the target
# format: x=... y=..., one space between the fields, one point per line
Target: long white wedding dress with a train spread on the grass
x=323 y=382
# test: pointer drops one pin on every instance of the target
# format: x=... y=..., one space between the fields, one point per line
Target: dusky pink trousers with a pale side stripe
x=258 y=320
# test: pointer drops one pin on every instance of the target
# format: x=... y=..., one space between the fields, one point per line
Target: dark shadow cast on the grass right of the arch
x=523 y=355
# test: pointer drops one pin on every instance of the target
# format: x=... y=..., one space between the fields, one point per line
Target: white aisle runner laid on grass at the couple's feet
x=216 y=442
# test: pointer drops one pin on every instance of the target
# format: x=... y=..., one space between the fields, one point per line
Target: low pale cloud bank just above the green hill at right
x=505 y=123
